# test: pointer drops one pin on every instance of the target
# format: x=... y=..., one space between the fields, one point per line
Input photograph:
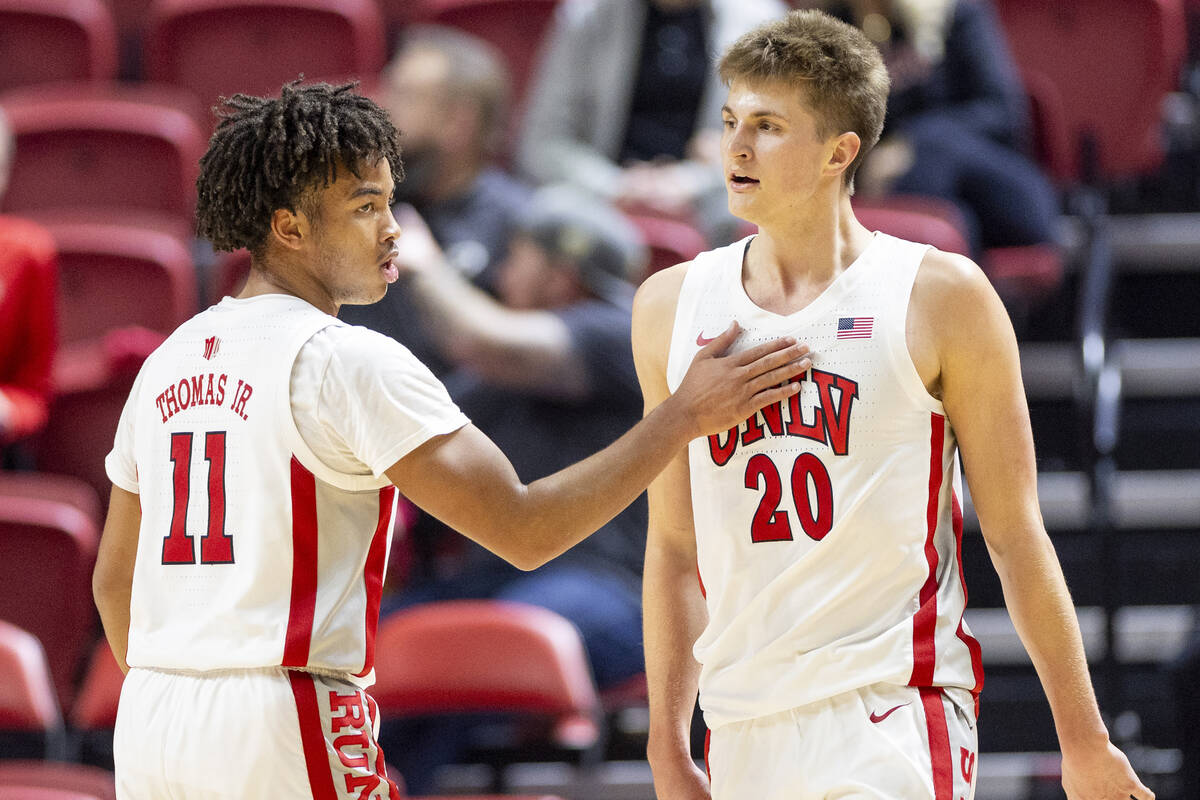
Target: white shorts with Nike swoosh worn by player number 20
x=879 y=742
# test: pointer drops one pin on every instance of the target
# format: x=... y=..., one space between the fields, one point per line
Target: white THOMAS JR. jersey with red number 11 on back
x=251 y=552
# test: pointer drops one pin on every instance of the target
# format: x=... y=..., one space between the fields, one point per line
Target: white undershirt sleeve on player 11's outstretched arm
x=362 y=401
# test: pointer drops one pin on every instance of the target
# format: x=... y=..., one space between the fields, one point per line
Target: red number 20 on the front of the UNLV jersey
x=770 y=524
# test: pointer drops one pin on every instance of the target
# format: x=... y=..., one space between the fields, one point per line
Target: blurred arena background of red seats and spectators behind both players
x=556 y=154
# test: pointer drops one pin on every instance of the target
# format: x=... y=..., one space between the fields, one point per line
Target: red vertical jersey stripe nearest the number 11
x=304 y=567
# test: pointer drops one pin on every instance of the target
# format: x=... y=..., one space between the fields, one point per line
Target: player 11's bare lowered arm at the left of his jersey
x=112 y=582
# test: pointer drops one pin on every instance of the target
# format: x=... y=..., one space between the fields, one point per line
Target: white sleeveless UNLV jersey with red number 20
x=829 y=527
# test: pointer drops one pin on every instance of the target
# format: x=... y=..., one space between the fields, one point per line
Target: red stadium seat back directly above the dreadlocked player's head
x=223 y=47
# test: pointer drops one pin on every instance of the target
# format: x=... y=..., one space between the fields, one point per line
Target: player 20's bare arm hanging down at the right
x=985 y=399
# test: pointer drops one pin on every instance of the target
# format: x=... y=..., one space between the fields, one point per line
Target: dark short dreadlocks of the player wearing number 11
x=269 y=153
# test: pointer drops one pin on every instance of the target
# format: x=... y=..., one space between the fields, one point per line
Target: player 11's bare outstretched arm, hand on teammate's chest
x=464 y=479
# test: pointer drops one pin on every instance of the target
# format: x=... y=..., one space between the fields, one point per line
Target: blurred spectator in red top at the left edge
x=28 y=323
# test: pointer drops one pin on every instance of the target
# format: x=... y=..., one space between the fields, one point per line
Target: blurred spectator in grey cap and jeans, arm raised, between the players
x=550 y=378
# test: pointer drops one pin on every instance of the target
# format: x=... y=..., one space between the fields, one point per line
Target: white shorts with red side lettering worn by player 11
x=248 y=733
